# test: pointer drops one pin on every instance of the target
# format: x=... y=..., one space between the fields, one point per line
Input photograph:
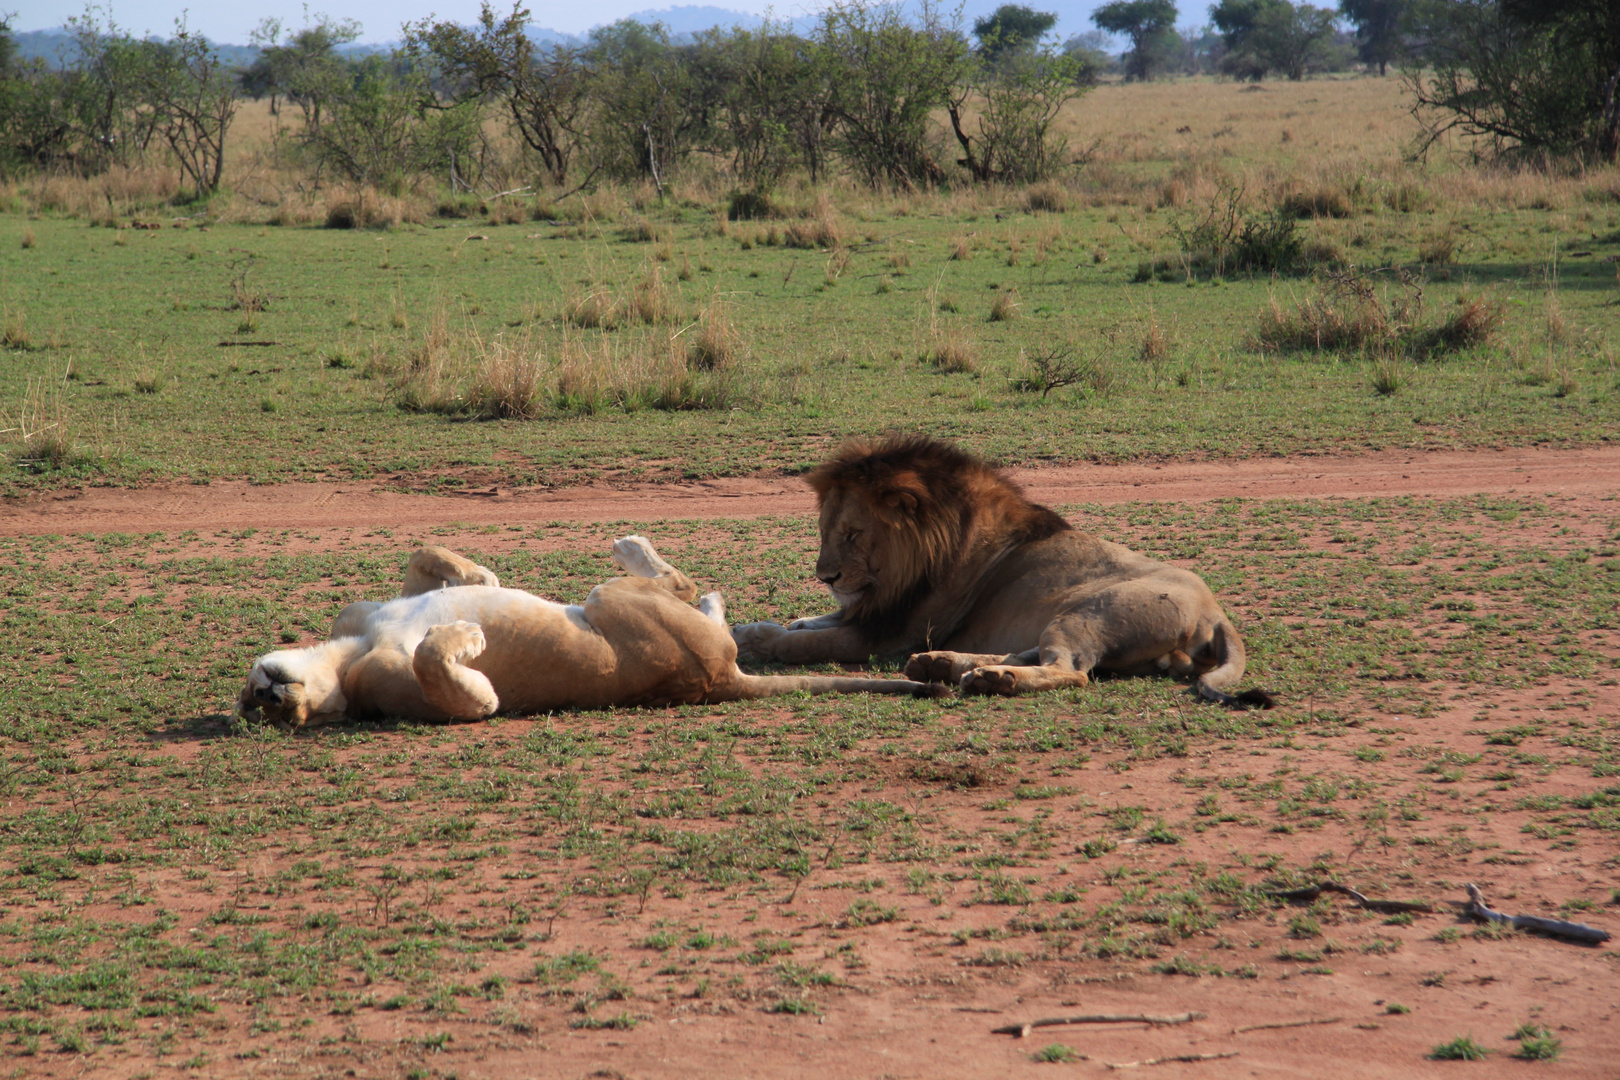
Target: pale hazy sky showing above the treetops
x=231 y=23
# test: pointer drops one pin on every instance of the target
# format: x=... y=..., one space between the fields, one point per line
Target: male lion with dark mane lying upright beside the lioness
x=927 y=548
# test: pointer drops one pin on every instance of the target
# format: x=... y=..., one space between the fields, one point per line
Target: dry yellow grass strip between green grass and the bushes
x=1321 y=145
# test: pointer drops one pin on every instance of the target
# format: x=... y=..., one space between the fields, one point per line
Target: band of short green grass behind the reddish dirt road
x=160 y=380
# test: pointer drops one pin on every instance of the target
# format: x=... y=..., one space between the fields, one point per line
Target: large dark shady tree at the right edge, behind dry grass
x=1527 y=79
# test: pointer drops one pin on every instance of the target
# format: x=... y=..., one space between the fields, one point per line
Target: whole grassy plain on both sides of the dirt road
x=848 y=887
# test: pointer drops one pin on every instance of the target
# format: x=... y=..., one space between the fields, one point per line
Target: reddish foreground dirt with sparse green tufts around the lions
x=819 y=888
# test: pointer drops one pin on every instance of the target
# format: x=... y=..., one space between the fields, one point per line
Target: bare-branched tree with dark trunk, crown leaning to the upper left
x=544 y=91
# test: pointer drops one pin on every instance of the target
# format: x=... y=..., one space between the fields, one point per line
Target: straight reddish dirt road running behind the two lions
x=236 y=504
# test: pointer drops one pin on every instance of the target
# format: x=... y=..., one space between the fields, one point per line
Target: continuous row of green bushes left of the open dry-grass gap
x=856 y=93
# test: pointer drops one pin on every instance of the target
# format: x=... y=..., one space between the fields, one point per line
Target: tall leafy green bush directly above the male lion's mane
x=889 y=77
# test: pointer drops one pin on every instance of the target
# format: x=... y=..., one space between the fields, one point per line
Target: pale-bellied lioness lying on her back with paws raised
x=466 y=653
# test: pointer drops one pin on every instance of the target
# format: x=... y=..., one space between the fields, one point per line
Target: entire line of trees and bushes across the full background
x=856 y=93
